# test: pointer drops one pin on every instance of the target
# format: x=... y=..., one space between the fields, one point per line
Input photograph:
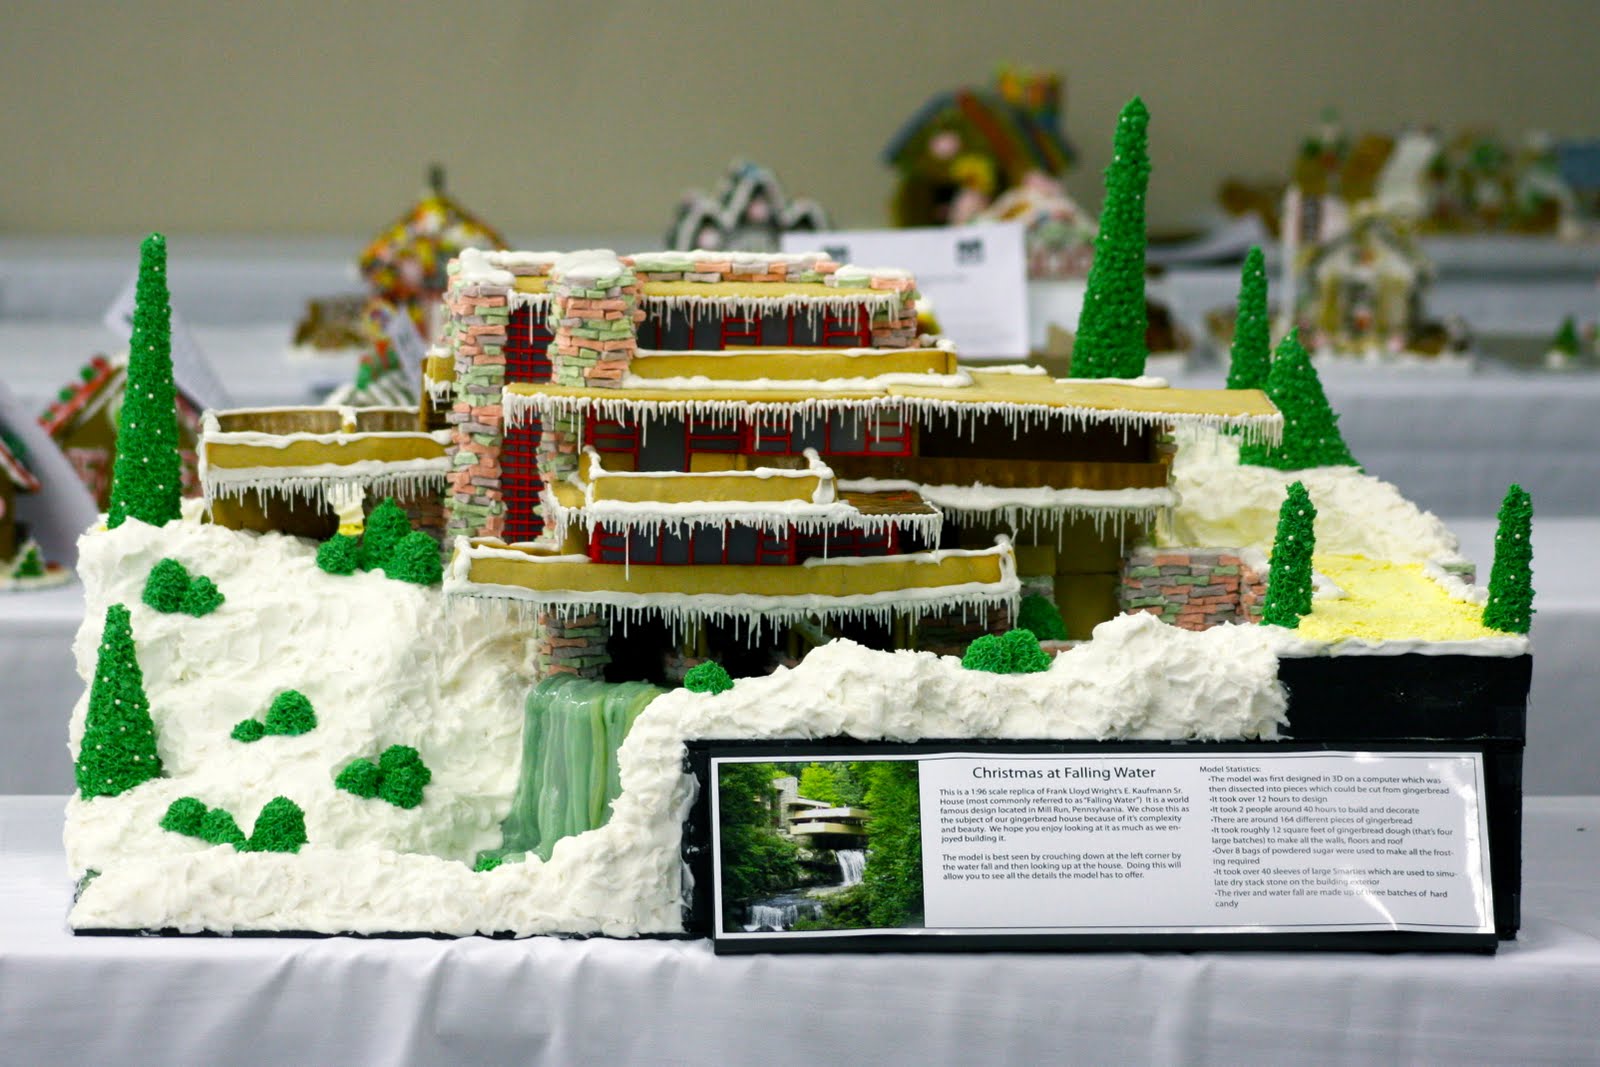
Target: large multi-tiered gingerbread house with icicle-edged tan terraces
x=695 y=450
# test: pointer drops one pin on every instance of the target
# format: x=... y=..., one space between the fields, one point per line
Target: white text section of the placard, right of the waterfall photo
x=1167 y=844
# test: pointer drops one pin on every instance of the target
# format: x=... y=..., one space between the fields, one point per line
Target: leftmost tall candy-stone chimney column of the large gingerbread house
x=476 y=332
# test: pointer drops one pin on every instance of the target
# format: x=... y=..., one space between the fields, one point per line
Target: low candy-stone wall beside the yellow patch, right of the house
x=1193 y=588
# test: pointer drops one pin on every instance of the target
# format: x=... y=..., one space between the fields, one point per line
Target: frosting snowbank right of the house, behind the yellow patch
x=1236 y=506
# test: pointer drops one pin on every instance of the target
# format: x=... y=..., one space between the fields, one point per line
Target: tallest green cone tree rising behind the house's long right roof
x=1113 y=322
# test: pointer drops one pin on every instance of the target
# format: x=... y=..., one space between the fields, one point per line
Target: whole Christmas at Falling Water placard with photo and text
x=1097 y=845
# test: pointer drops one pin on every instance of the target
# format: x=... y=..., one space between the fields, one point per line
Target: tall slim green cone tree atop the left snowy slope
x=146 y=478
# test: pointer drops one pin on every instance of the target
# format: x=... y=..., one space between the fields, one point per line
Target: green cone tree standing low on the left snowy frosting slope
x=119 y=737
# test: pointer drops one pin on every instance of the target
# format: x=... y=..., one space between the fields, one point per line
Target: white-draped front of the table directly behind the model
x=41 y=681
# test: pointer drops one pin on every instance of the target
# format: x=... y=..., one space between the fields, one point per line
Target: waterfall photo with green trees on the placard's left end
x=820 y=845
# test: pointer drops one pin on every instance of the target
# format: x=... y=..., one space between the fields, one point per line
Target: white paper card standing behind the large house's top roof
x=975 y=276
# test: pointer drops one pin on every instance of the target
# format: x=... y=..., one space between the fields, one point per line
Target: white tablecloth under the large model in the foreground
x=194 y=1001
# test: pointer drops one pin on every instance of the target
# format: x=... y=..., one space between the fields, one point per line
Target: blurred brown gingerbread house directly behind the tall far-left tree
x=84 y=423
